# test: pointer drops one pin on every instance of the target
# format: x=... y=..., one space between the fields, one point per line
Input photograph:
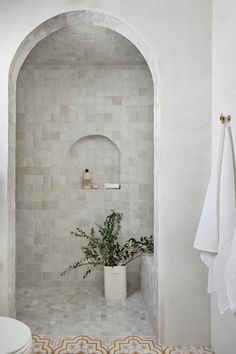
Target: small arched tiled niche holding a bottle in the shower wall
x=100 y=155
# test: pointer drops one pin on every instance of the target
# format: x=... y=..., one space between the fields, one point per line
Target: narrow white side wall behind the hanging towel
x=223 y=327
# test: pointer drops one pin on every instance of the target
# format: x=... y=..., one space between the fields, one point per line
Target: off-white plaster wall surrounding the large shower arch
x=179 y=36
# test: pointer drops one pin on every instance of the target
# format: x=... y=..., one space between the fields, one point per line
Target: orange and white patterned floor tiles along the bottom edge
x=107 y=345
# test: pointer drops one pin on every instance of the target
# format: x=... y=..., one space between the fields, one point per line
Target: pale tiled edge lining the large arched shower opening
x=43 y=30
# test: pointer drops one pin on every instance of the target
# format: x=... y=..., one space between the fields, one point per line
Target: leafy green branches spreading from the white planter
x=106 y=248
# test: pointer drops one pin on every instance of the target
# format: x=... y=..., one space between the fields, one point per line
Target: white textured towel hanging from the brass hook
x=217 y=224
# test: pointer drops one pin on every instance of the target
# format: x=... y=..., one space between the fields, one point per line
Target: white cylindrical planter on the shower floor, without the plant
x=115 y=283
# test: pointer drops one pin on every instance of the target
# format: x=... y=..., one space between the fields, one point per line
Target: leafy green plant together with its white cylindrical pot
x=106 y=249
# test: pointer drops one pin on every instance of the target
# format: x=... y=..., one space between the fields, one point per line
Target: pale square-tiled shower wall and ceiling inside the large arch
x=84 y=100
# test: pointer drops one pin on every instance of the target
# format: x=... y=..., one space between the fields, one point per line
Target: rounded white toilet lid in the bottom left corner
x=14 y=335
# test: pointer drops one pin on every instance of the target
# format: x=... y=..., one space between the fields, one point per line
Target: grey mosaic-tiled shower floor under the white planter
x=66 y=311
